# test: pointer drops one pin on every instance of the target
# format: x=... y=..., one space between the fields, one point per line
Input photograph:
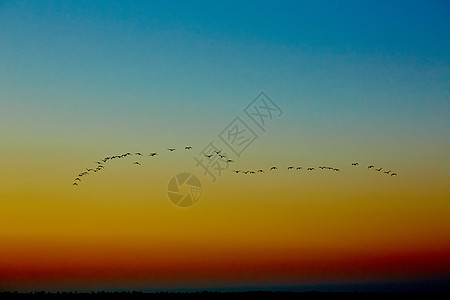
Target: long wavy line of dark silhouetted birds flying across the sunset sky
x=101 y=164
